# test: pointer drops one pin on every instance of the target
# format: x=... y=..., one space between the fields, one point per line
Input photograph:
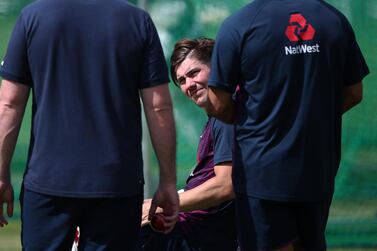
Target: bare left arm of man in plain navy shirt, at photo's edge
x=13 y=99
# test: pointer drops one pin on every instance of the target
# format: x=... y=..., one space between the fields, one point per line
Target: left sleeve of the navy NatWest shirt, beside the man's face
x=226 y=64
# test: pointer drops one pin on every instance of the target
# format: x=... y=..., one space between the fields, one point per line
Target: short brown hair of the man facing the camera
x=199 y=48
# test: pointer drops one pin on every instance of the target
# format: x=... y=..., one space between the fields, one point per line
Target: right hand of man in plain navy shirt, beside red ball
x=166 y=197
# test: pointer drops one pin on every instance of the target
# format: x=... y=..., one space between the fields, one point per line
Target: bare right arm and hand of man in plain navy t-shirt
x=159 y=115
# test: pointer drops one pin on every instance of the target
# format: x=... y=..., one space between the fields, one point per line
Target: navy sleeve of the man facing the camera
x=223 y=137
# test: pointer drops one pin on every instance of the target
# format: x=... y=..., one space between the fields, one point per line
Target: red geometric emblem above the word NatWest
x=299 y=29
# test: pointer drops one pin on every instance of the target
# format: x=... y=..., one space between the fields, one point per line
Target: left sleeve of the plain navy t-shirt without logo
x=15 y=66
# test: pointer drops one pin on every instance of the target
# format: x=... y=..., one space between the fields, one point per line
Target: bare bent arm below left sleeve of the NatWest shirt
x=220 y=105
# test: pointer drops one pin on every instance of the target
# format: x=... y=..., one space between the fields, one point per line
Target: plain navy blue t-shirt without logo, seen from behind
x=86 y=62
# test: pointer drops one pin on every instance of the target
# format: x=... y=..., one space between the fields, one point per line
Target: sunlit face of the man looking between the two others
x=192 y=78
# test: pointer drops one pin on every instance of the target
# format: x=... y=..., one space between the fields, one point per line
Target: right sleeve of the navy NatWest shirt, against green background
x=355 y=68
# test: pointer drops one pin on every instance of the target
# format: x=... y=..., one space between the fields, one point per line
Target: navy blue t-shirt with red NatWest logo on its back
x=291 y=60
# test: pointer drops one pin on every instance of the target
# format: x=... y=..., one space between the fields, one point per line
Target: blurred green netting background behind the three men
x=353 y=216
